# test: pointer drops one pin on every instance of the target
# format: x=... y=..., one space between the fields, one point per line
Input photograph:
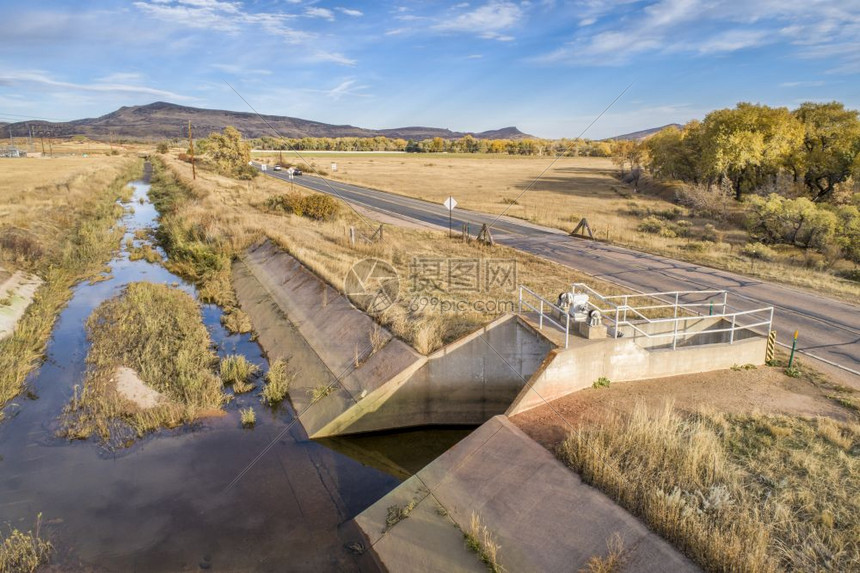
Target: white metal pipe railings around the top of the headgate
x=618 y=311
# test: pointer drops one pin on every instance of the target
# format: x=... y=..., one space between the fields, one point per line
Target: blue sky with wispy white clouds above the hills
x=548 y=67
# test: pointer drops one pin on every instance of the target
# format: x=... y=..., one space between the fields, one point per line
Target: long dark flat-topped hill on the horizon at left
x=162 y=120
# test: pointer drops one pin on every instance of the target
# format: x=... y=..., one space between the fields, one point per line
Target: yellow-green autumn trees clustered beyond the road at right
x=797 y=171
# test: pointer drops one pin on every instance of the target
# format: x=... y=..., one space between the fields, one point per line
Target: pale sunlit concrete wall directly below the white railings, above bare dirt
x=623 y=359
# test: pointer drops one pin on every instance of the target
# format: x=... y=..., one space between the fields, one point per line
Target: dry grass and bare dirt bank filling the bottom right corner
x=746 y=470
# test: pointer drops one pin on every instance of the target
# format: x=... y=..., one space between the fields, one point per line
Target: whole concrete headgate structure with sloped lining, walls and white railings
x=353 y=376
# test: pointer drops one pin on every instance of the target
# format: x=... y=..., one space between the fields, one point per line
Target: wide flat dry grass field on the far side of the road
x=571 y=189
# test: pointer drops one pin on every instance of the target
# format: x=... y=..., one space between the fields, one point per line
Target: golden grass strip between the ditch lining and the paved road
x=215 y=218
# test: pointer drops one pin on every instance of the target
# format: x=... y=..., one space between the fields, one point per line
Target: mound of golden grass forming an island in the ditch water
x=158 y=332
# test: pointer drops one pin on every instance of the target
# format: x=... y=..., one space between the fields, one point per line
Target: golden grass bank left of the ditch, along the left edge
x=64 y=233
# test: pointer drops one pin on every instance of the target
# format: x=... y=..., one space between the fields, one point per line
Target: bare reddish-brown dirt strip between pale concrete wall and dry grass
x=763 y=390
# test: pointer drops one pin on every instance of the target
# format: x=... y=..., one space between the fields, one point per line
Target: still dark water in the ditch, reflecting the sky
x=164 y=503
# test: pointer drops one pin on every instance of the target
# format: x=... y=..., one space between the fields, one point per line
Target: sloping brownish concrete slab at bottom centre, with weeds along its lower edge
x=539 y=512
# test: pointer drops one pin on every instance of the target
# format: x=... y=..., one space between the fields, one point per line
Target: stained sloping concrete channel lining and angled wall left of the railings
x=327 y=341
